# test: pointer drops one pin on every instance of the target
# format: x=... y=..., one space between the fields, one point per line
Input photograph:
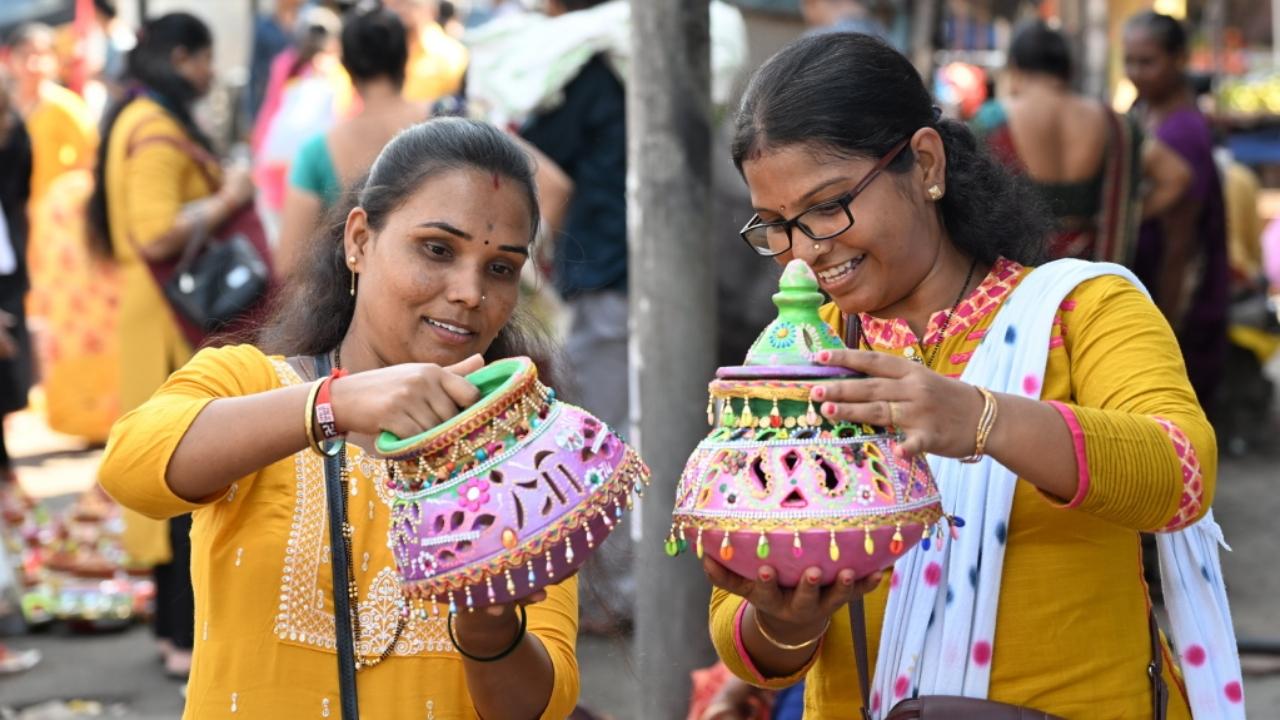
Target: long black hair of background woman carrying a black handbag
x=150 y=71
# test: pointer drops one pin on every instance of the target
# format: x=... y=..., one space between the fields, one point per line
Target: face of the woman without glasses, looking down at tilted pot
x=441 y=279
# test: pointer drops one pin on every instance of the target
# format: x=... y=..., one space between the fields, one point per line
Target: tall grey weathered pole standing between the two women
x=673 y=293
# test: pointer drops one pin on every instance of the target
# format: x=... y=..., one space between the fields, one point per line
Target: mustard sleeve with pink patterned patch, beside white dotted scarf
x=1146 y=453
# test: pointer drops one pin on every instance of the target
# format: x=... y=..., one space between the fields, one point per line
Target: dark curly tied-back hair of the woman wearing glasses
x=852 y=95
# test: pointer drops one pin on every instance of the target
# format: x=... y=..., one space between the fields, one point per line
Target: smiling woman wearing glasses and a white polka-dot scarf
x=1063 y=382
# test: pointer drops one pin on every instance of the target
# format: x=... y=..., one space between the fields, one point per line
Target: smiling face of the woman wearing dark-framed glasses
x=895 y=241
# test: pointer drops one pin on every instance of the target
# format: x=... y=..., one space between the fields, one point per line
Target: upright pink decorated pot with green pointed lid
x=776 y=484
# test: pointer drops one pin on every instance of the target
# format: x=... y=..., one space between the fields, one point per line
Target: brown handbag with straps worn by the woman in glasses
x=953 y=708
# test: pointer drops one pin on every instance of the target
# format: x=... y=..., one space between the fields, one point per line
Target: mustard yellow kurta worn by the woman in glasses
x=1072 y=634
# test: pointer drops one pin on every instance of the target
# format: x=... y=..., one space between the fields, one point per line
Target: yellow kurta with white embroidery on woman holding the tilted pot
x=260 y=569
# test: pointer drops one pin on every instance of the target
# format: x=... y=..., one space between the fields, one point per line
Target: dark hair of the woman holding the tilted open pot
x=314 y=311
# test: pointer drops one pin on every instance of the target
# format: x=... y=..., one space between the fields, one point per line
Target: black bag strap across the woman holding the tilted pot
x=344 y=635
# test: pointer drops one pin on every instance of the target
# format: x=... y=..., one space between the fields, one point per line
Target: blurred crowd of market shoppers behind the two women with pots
x=112 y=185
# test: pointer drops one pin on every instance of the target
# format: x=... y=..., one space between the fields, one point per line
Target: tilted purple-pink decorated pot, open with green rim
x=510 y=496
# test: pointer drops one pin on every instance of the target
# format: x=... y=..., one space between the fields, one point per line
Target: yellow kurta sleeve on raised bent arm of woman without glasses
x=144 y=441
